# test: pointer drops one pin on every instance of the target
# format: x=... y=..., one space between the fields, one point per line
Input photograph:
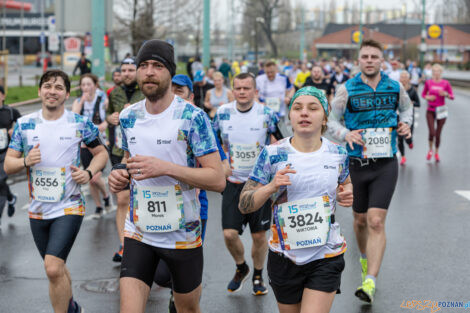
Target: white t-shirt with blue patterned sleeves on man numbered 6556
x=59 y=143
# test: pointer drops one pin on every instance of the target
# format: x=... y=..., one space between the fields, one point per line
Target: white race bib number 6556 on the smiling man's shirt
x=47 y=183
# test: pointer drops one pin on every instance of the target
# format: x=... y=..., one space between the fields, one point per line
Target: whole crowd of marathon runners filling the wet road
x=169 y=138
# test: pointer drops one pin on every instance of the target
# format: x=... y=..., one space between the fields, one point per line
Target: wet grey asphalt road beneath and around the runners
x=426 y=256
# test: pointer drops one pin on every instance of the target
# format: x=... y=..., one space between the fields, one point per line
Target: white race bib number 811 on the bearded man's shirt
x=157 y=209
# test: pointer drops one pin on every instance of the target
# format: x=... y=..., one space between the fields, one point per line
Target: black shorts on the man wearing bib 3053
x=232 y=218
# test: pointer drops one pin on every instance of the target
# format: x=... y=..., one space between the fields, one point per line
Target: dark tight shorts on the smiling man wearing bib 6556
x=56 y=236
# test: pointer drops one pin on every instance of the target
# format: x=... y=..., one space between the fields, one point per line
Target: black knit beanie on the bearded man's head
x=157 y=50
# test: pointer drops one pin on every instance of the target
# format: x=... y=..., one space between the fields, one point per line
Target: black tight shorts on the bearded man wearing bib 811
x=140 y=261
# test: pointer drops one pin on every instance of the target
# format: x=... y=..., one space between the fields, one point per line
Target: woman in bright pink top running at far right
x=435 y=91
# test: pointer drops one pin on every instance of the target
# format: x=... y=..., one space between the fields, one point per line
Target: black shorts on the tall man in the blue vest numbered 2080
x=374 y=183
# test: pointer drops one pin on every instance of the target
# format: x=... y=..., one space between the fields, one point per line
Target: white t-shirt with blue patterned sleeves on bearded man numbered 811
x=179 y=135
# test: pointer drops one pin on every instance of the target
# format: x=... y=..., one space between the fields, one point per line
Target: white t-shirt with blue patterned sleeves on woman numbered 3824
x=318 y=174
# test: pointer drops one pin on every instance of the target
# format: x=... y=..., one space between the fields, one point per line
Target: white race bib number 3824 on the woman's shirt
x=303 y=223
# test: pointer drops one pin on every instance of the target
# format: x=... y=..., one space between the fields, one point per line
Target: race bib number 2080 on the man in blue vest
x=378 y=143
